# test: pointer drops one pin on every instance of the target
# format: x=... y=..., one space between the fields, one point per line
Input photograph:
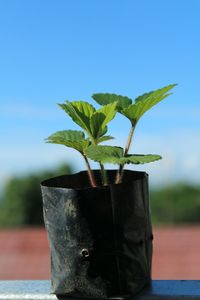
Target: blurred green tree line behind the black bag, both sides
x=21 y=201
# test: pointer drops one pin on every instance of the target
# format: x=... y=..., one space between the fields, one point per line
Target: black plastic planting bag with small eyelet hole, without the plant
x=100 y=238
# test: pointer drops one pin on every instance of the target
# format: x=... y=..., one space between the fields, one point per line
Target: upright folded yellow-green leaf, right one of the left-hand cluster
x=101 y=118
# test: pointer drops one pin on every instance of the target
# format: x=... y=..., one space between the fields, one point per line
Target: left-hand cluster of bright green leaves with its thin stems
x=93 y=122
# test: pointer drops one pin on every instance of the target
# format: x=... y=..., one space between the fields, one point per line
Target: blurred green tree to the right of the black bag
x=176 y=204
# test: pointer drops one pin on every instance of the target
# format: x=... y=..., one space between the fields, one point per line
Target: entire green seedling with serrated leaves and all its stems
x=94 y=124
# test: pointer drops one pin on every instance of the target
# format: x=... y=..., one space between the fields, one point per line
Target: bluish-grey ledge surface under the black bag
x=159 y=290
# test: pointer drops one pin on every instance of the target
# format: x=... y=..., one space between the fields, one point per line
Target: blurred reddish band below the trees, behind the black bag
x=24 y=254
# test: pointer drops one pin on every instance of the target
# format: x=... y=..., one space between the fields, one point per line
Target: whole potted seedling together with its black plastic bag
x=98 y=221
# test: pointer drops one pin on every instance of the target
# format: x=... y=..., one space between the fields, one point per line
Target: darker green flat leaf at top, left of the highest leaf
x=106 y=98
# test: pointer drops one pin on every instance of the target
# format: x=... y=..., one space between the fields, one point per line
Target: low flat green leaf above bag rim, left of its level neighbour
x=104 y=154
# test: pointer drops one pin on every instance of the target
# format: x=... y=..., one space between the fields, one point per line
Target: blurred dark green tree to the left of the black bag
x=21 y=202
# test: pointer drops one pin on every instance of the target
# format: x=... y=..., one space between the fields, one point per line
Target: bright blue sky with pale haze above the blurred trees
x=57 y=50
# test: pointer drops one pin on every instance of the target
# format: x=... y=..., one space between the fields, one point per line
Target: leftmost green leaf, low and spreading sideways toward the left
x=70 y=138
